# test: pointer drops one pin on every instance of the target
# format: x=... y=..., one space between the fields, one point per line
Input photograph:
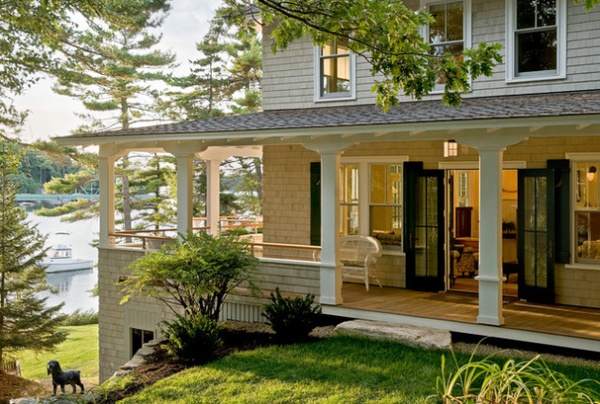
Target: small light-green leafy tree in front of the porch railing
x=196 y=273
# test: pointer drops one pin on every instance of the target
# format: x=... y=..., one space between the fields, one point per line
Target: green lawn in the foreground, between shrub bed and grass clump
x=334 y=370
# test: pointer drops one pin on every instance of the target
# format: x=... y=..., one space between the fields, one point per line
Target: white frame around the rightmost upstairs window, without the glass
x=561 y=51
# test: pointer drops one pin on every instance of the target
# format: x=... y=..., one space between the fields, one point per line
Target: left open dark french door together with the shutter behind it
x=424 y=227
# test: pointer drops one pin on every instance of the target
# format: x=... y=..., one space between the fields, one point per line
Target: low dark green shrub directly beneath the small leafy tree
x=193 y=339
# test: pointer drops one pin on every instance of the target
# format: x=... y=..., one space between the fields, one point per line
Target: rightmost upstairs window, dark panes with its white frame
x=536 y=39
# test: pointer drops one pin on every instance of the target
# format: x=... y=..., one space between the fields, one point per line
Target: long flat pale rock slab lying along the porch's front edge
x=418 y=336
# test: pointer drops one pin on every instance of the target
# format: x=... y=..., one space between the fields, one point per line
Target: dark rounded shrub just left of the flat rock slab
x=292 y=319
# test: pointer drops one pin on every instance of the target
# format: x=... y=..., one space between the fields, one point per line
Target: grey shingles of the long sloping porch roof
x=507 y=107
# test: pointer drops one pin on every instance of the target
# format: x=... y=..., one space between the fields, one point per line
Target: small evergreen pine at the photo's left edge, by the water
x=25 y=321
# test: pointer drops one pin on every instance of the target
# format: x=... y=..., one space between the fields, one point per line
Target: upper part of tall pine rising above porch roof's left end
x=114 y=69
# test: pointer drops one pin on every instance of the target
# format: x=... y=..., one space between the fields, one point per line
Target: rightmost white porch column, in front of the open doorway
x=490 y=235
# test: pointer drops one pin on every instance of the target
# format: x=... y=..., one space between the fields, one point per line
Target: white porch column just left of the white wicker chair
x=331 y=273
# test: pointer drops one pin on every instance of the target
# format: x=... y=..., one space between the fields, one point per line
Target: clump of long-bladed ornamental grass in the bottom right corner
x=530 y=381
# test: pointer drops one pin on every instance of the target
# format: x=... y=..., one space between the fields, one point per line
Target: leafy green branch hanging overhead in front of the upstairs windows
x=388 y=35
